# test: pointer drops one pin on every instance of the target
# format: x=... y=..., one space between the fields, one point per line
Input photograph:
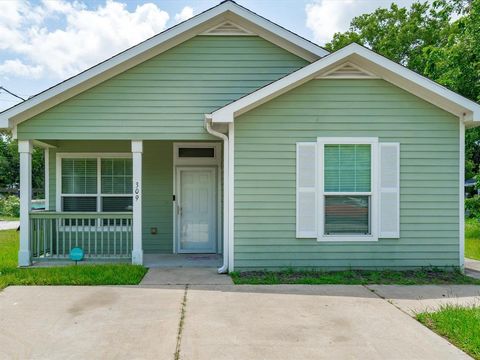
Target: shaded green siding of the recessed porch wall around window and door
x=157 y=185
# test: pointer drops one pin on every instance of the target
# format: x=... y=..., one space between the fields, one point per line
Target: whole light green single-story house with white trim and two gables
x=229 y=134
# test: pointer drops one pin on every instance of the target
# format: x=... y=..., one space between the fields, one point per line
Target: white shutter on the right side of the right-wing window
x=389 y=189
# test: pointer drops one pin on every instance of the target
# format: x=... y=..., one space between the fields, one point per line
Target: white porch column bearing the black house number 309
x=137 y=251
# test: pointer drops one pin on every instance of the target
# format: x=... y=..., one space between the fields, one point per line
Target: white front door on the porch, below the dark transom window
x=196 y=210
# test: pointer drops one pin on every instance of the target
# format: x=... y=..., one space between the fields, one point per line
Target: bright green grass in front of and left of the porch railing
x=111 y=274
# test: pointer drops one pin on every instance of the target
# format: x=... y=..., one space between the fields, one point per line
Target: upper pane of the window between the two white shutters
x=347 y=168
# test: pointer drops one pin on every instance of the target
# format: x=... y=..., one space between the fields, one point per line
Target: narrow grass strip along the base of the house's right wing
x=353 y=277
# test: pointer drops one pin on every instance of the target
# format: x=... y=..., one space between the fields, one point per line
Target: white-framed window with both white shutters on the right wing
x=348 y=189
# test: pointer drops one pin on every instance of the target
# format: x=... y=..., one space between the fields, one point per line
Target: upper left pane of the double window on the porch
x=79 y=176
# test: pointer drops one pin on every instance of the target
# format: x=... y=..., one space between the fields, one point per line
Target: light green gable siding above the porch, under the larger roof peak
x=166 y=97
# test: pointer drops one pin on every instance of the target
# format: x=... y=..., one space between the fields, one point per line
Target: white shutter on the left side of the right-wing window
x=307 y=190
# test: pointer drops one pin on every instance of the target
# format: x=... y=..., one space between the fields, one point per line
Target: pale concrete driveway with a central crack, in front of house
x=215 y=322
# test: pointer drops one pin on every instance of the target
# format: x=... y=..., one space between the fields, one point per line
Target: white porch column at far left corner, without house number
x=25 y=150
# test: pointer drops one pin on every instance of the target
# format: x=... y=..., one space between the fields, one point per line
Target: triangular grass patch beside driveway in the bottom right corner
x=460 y=325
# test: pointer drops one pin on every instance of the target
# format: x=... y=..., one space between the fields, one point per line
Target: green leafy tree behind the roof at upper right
x=440 y=40
